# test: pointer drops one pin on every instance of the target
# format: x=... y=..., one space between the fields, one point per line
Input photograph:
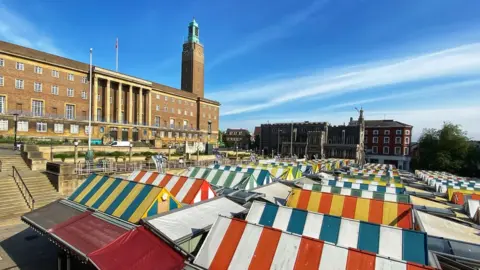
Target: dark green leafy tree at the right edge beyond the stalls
x=448 y=149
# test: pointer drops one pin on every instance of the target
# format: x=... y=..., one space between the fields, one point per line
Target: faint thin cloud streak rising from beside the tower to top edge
x=278 y=30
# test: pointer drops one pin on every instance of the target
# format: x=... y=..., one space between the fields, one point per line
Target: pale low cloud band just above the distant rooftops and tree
x=419 y=118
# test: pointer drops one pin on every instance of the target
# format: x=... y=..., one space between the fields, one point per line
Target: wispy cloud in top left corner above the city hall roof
x=19 y=30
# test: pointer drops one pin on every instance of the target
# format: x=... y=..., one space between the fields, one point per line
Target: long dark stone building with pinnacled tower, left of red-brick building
x=315 y=138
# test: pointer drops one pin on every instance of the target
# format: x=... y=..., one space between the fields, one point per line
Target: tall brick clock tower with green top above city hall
x=193 y=62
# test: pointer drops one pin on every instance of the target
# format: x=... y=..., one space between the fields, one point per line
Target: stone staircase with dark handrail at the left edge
x=12 y=203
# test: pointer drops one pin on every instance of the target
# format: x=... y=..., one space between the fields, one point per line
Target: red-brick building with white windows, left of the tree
x=388 y=142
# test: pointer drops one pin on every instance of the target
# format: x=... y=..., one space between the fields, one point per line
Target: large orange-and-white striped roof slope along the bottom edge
x=237 y=244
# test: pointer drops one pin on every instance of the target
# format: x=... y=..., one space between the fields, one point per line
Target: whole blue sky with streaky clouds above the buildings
x=414 y=61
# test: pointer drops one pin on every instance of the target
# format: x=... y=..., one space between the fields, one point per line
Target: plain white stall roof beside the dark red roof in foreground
x=187 y=222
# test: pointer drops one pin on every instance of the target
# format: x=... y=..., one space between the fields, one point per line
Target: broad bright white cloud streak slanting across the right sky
x=458 y=61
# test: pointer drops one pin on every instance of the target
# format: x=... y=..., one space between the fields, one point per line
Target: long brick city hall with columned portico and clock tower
x=48 y=95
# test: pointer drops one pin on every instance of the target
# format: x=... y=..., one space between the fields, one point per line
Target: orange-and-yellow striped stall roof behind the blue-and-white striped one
x=371 y=210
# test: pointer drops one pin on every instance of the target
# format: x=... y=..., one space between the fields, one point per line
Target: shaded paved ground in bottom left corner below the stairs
x=23 y=248
